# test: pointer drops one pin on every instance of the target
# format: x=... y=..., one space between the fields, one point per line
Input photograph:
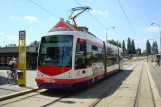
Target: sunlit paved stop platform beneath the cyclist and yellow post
x=8 y=90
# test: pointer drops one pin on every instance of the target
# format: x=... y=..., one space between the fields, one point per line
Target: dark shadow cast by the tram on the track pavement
x=94 y=91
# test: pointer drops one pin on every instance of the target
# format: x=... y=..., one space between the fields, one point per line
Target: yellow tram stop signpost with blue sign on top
x=22 y=58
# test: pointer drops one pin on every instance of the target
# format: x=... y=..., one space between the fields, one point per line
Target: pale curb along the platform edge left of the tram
x=16 y=94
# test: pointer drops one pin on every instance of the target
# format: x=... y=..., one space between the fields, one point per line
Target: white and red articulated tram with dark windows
x=74 y=59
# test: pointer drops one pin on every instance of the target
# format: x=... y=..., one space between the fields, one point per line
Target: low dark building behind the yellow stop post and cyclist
x=8 y=53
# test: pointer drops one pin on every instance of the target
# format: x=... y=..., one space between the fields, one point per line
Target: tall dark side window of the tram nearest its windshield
x=80 y=55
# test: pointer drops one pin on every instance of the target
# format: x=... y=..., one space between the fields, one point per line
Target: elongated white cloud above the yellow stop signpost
x=29 y=18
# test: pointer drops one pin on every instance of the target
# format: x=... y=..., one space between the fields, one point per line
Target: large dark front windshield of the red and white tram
x=56 y=50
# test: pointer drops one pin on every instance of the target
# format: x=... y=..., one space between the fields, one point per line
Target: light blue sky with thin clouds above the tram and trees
x=19 y=15
